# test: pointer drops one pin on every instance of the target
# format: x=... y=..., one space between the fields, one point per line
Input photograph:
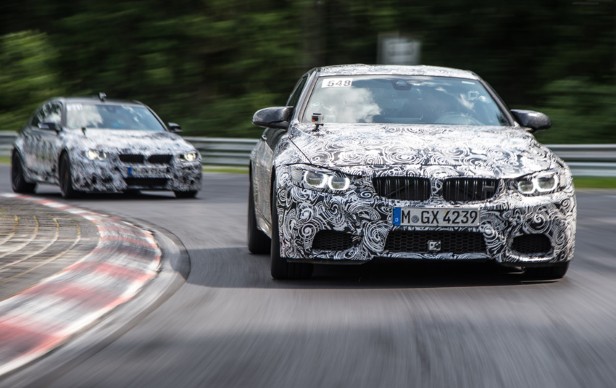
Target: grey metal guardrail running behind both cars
x=597 y=160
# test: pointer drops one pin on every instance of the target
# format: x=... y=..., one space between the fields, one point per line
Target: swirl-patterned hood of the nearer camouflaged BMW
x=467 y=150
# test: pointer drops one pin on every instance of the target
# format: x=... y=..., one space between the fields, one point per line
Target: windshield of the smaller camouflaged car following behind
x=111 y=116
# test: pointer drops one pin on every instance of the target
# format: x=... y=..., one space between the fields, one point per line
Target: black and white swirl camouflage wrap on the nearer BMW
x=366 y=150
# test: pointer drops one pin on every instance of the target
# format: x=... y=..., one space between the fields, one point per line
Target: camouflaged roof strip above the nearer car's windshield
x=362 y=69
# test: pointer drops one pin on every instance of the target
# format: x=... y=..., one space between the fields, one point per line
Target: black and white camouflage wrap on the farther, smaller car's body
x=108 y=175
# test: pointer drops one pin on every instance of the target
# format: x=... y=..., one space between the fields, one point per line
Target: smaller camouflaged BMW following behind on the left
x=100 y=145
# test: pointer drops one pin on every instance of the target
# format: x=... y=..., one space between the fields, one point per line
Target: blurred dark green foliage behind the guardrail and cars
x=209 y=64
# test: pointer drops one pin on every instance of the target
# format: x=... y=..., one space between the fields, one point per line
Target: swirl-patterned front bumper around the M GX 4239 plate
x=357 y=226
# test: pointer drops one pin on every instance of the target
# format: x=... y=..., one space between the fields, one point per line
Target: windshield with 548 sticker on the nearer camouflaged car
x=403 y=100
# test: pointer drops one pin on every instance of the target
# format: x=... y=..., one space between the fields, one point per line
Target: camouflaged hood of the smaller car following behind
x=134 y=141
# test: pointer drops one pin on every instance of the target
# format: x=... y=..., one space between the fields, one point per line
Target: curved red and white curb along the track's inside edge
x=45 y=316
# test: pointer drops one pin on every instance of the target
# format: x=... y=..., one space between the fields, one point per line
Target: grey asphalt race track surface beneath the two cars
x=382 y=325
